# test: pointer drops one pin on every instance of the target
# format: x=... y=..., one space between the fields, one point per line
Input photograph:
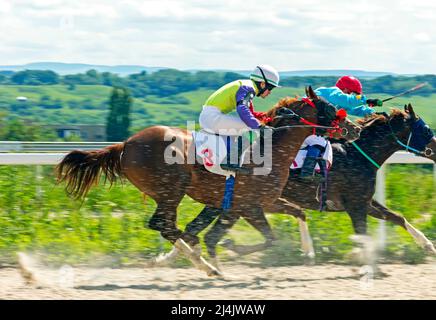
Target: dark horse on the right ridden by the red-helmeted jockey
x=353 y=174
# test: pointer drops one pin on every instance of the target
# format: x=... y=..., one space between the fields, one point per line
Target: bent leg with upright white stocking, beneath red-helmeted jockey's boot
x=281 y=205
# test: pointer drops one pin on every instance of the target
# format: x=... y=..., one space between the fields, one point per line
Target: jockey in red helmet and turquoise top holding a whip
x=346 y=94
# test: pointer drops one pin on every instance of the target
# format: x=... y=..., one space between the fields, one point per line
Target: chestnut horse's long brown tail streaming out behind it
x=82 y=169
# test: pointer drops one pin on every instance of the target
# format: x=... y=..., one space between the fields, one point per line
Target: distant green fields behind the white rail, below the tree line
x=87 y=104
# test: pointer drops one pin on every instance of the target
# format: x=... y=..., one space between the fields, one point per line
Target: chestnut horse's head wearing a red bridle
x=313 y=110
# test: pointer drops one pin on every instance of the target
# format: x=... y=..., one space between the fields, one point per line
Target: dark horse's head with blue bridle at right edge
x=413 y=133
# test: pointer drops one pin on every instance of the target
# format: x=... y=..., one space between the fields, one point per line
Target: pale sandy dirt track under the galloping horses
x=241 y=282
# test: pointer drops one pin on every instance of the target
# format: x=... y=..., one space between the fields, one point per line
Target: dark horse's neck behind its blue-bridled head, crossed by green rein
x=379 y=146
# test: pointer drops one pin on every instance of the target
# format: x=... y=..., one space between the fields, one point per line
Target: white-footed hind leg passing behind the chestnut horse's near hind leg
x=204 y=219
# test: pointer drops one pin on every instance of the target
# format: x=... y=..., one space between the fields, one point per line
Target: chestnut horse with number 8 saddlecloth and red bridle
x=141 y=160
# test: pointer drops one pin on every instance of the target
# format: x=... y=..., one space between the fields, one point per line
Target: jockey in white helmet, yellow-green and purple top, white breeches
x=237 y=96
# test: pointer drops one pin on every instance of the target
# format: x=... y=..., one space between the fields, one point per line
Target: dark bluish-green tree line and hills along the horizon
x=169 y=82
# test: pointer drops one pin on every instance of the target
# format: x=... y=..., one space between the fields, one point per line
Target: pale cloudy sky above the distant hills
x=390 y=35
